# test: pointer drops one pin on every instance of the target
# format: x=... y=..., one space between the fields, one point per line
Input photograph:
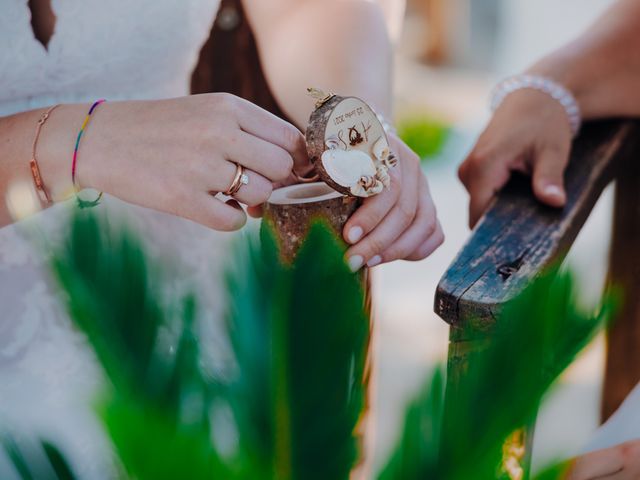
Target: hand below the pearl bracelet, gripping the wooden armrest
x=529 y=133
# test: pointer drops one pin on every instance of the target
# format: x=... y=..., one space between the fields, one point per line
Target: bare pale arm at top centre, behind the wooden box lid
x=335 y=45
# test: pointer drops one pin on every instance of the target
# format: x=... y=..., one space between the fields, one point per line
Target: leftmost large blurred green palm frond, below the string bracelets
x=157 y=413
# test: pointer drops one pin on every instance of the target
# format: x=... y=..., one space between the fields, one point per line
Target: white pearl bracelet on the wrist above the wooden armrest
x=543 y=84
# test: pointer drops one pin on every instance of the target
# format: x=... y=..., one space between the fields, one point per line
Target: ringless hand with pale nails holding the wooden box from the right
x=398 y=224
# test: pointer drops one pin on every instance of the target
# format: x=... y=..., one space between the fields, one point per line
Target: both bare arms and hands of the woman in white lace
x=171 y=155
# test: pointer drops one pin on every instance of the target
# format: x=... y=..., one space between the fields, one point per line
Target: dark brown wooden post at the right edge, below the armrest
x=623 y=356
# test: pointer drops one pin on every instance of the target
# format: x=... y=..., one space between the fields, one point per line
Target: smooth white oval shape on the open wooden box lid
x=346 y=168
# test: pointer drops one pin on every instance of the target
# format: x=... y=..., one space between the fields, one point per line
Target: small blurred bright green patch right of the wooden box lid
x=424 y=135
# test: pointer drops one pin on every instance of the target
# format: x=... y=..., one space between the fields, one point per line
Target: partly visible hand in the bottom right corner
x=618 y=463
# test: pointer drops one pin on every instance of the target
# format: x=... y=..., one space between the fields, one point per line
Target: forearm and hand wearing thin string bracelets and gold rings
x=170 y=155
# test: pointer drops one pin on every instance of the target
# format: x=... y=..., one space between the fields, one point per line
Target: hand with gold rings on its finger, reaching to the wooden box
x=175 y=155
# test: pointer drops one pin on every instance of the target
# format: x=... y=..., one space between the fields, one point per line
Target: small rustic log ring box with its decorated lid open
x=349 y=150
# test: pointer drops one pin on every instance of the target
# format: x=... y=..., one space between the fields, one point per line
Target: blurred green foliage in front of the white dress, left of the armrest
x=299 y=337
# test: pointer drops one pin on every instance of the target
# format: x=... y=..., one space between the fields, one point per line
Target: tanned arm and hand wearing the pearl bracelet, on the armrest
x=530 y=132
